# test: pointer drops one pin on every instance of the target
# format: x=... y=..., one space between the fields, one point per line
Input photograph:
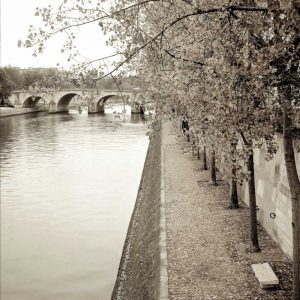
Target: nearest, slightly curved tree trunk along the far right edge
x=294 y=185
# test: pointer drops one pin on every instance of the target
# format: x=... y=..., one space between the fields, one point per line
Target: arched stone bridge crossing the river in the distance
x=59 y=100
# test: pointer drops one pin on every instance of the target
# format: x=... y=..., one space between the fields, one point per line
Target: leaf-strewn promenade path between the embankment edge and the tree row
x=207 y=242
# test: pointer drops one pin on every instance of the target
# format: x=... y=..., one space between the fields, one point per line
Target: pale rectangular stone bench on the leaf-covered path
x=265 y=275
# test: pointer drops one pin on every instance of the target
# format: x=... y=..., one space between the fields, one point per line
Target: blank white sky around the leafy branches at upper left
x=17 y=15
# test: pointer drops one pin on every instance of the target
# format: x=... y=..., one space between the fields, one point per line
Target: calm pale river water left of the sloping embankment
x=68 y=188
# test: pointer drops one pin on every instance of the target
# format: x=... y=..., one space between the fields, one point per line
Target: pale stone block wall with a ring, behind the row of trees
x=272 y=195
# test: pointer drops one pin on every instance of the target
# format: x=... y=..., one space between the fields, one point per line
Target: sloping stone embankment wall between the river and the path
x=139 y=275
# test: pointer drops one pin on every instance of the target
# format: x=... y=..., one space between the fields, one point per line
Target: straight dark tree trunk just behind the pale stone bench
x=254 y=246
